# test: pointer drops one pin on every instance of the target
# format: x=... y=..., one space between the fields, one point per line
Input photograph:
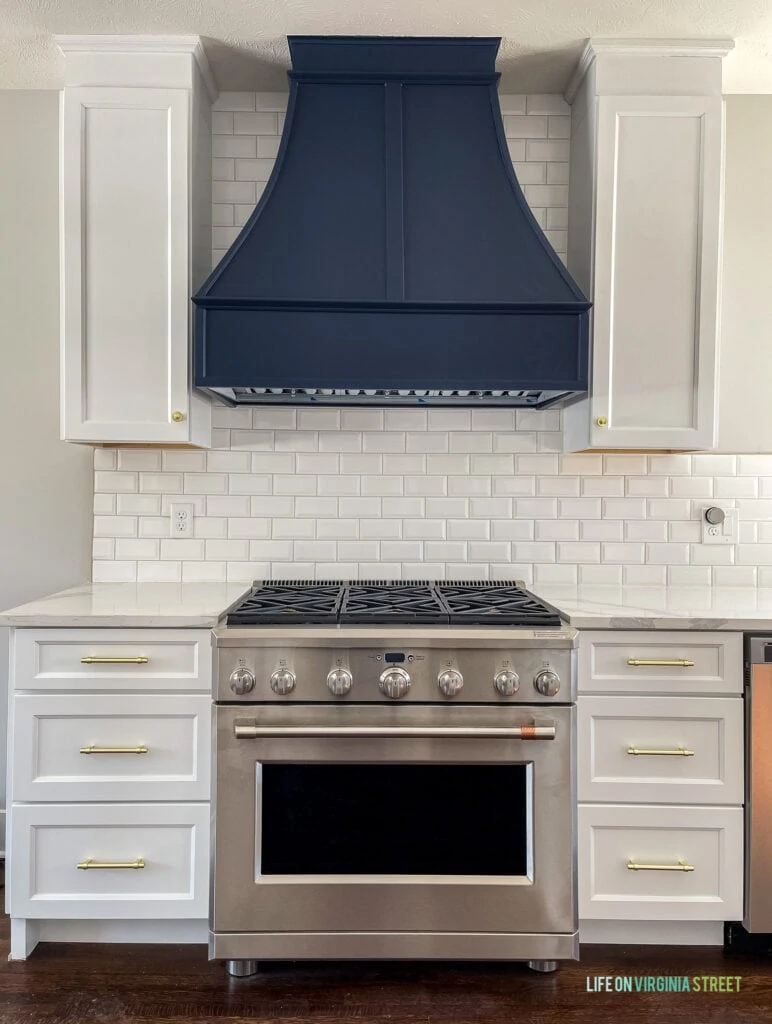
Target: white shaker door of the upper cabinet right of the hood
x=658 y=234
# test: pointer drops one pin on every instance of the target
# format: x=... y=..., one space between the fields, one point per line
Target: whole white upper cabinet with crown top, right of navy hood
x=646 y=226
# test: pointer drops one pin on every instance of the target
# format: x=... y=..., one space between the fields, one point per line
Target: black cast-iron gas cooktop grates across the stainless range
x=284 y=603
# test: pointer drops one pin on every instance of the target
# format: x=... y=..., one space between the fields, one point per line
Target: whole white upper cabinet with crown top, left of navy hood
x=136 y=209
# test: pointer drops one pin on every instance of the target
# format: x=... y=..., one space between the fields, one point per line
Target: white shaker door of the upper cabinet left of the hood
x=125 y=276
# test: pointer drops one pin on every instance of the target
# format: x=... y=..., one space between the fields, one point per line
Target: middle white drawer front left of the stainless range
x=152 y=748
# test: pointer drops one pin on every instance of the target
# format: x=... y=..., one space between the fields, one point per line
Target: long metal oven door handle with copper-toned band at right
x=249 y=730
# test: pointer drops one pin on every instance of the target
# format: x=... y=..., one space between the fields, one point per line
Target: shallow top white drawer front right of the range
x=683 y=663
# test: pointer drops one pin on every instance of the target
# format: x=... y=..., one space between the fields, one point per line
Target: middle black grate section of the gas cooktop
x=381 y=604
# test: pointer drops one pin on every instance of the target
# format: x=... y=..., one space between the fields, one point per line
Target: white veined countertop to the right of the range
x=602 y=608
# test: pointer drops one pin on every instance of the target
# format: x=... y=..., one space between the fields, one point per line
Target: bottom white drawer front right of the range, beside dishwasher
x=660 y=841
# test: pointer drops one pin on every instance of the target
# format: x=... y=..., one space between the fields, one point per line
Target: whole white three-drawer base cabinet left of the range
x=109 y=782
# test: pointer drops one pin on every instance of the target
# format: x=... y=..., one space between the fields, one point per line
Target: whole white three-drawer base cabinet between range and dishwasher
x=661 y=781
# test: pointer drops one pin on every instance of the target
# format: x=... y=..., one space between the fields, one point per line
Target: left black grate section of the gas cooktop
x=289 y=603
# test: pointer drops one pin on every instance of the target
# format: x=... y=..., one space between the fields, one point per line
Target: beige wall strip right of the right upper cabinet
x=746 y=398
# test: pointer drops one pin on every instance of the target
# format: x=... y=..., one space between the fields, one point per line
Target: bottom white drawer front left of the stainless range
x=168 y=843
